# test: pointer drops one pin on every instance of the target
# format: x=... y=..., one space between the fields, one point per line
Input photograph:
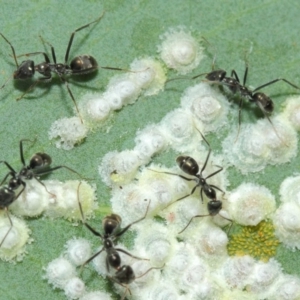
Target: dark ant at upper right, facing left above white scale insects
x=233 y=83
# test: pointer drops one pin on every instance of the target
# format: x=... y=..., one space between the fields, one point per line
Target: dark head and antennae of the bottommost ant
x=125 y=275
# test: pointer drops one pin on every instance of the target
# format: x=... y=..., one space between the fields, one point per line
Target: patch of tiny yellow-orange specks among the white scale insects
x=257 y=241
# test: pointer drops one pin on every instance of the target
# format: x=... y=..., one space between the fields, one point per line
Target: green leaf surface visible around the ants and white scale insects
x=129 y=29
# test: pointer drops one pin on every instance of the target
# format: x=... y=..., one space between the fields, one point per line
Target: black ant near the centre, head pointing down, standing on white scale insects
x=188 y=165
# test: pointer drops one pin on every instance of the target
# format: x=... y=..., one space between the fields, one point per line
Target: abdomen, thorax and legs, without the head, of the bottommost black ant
x=111 y=225
